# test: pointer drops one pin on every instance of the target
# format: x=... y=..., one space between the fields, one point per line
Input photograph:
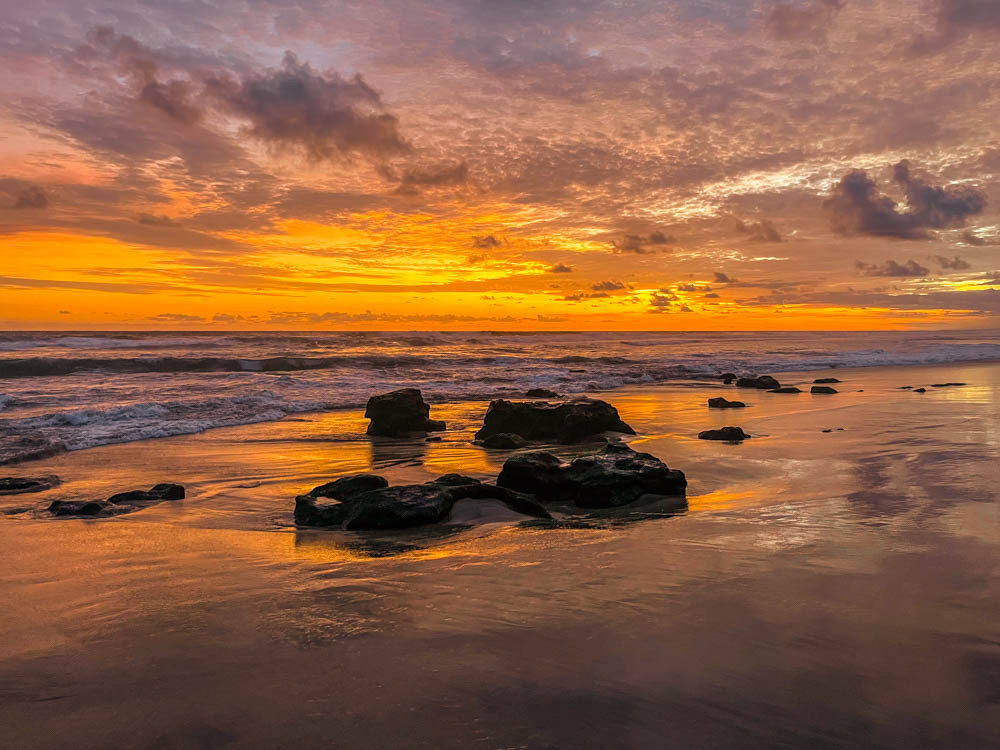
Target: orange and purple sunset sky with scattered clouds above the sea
x=477 y=164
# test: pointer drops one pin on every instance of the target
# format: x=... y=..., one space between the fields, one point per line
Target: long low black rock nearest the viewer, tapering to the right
x=366 y=502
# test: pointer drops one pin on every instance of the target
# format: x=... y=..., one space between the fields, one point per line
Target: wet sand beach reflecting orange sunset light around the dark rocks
x=824 y=589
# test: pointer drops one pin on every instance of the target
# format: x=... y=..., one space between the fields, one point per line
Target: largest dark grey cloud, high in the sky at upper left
x=324 y=114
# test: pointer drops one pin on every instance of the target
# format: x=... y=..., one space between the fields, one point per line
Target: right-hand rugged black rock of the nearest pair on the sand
x=615 y=476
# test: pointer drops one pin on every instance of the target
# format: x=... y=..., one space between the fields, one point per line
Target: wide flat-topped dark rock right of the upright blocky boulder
x=564 y=422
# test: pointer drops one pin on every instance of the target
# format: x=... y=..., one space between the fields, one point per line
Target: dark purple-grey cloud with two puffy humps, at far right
x=857 y=207
